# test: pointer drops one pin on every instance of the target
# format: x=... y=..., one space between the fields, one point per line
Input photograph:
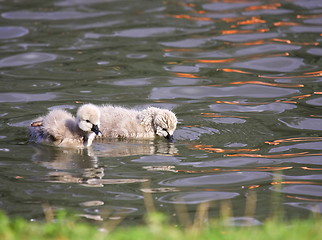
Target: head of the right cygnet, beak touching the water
x=165 y=122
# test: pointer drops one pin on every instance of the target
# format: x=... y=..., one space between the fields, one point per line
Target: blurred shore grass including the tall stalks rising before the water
x=62 y=225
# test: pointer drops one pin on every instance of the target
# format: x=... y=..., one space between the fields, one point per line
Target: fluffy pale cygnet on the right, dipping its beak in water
x=118 y=122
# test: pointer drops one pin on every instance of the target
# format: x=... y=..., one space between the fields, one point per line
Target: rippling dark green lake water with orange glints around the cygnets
x=243 y=77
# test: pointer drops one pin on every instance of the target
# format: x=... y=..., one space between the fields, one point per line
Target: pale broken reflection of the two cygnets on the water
x=82 y=165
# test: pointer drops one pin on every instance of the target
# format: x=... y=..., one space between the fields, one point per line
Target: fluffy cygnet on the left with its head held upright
x=62 y=129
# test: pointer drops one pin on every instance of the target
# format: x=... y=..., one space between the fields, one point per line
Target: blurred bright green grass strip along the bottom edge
x=156 y=228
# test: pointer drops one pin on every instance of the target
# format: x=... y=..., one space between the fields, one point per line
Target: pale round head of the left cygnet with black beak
x=88 y=117
